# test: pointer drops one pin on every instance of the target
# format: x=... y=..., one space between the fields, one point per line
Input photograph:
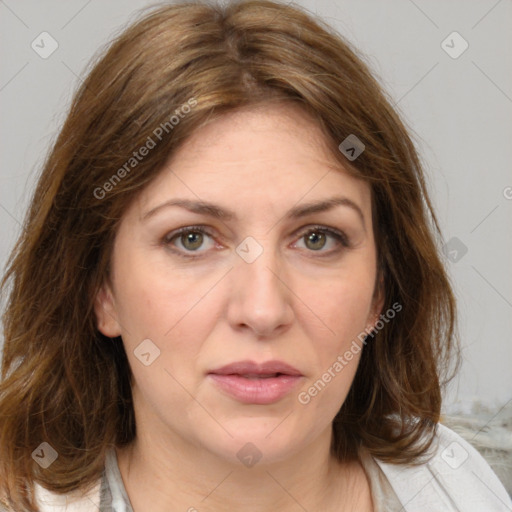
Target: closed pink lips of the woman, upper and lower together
x=240 y=380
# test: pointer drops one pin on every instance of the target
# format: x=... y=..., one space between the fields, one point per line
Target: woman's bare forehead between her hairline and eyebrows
x=267 y=157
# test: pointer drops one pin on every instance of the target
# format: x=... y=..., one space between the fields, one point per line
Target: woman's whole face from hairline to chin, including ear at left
x=252 y=249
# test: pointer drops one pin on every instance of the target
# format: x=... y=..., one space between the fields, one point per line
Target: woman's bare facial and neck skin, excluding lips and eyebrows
x=299 y=302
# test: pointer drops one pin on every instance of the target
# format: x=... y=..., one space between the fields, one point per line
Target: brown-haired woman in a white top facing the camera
x=228 y=294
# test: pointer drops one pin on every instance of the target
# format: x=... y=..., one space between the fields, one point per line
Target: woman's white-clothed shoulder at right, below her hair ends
x=455 y=478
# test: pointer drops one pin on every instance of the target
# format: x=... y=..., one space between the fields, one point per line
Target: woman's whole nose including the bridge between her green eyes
x=259 y=298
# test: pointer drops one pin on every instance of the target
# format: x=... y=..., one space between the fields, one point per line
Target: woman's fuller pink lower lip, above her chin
x=256 y=391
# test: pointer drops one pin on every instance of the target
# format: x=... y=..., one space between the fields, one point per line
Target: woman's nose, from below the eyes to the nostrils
x=260 y=297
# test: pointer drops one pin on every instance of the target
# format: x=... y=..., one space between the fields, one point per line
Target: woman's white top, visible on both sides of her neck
x=456 y=478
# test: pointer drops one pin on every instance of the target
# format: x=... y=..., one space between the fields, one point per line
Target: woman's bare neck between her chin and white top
x=176 y=476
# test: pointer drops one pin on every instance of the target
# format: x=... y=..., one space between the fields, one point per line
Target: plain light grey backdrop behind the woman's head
x=459 y=111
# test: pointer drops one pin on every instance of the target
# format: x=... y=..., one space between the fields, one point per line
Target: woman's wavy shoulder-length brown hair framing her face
x=65 y=383
